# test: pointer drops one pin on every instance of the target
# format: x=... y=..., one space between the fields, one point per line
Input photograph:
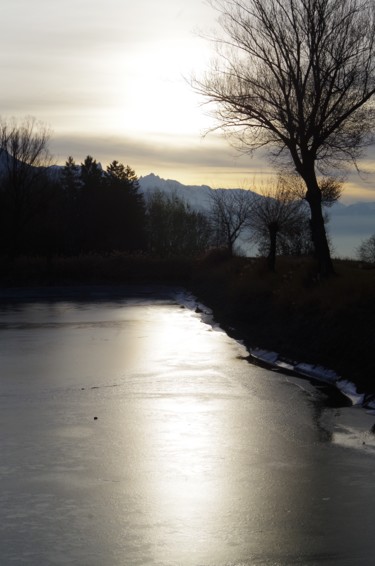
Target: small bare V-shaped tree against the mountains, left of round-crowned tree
x=229 y=215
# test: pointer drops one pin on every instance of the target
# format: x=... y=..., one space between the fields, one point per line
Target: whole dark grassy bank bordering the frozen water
x=320 y=322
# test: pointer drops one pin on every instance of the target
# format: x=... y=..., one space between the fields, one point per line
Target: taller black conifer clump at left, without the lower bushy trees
x=71 y=210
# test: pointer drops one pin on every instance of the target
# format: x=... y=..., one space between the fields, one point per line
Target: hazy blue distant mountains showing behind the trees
x=348 y=224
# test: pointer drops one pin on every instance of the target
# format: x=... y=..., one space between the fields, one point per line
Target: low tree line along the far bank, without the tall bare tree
x=80 y=209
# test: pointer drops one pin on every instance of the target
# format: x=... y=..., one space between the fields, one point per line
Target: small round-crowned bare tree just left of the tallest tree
x=278 y=214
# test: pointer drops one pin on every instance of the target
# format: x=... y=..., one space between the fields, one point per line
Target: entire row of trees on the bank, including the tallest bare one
x=296 y=77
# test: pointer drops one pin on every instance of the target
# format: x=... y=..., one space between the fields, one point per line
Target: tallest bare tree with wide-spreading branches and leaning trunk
x=297 y=76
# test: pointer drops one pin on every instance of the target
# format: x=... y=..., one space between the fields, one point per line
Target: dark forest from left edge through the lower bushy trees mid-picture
x=81 y=209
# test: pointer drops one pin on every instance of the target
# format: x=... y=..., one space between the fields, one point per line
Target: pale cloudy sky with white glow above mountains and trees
x=111 y=79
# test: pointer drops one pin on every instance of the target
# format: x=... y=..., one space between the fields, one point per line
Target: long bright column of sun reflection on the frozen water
x=186 y=431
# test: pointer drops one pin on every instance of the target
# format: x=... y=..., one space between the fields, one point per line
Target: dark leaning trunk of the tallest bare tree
x=318 y=230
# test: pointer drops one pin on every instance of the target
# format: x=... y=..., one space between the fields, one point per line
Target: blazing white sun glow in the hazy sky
x=158 y=100
